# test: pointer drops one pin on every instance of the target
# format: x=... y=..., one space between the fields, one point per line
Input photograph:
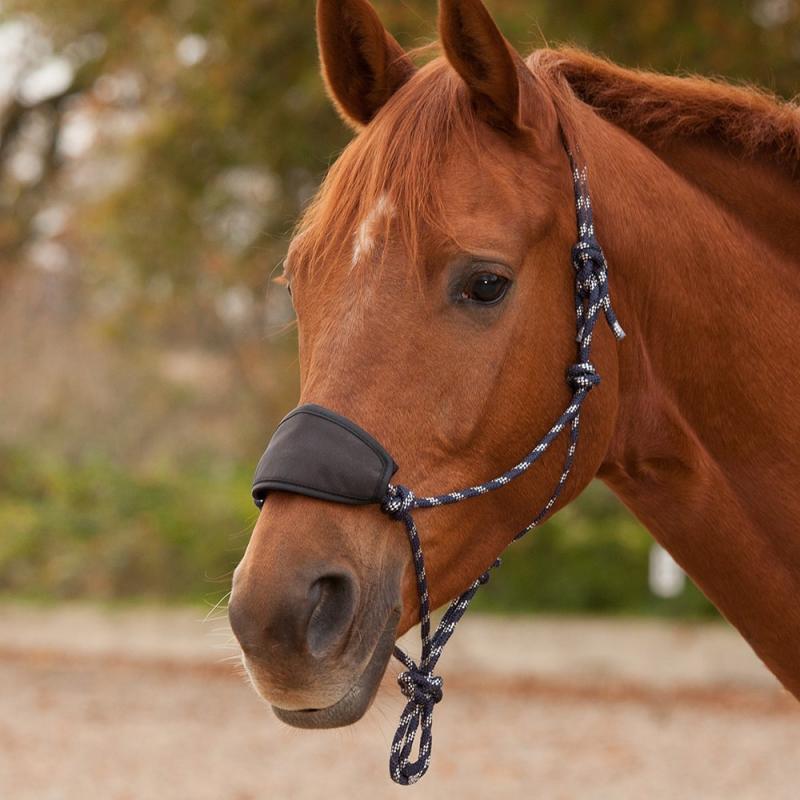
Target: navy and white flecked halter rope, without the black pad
x=418 y=683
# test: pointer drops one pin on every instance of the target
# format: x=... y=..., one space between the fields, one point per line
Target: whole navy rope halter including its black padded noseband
x=322 y=454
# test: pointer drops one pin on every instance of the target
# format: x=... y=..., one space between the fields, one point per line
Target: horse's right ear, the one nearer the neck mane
x=483 y=58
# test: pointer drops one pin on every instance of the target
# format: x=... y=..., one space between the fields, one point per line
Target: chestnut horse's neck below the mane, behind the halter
x=703 y=253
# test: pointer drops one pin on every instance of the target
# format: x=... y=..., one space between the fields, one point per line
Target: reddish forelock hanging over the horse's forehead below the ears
x=387 y=181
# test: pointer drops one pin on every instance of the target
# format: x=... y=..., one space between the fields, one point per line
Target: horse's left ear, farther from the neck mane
x=363 y=65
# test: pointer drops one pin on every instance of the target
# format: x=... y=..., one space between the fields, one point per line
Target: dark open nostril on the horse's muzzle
x=333 y=602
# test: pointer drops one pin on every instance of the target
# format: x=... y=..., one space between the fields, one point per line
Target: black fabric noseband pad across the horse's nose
x=319 y=453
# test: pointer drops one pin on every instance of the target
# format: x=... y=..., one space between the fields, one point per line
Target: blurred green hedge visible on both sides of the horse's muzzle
x=89 y=528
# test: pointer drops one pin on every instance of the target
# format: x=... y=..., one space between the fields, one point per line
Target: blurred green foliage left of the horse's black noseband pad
x=88 y=528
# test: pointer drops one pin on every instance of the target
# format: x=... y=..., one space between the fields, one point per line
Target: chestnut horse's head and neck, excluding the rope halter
x=433 y=288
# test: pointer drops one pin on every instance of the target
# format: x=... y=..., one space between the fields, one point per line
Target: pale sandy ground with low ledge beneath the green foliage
x=144 y=704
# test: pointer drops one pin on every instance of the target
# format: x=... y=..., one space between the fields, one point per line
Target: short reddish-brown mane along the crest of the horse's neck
x=657 y=108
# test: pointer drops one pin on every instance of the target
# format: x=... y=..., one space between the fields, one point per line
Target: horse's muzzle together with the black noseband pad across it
x=316 y=629
